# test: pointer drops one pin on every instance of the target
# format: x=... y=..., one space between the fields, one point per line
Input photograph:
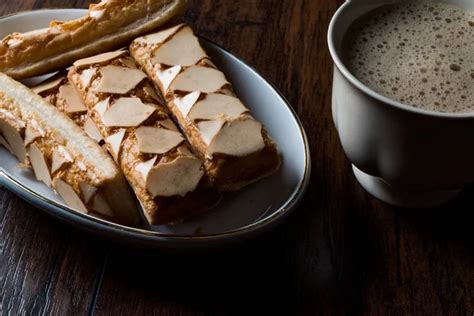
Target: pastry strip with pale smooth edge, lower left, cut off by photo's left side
x=61 y=156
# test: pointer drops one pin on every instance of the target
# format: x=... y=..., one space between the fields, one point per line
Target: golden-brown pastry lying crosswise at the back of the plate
x=108 y=25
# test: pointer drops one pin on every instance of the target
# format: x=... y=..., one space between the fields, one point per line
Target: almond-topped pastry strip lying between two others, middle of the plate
x=169 y=181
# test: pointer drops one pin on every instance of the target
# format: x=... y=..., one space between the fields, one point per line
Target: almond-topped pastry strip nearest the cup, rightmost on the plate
x=237 y=149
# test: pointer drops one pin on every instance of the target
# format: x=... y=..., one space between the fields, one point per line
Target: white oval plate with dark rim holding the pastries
x=241 y=215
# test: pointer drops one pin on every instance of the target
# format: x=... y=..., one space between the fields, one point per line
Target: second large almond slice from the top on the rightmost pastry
x=196 y=78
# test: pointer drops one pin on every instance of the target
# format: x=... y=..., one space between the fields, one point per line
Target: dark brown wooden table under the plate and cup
x=342 y=251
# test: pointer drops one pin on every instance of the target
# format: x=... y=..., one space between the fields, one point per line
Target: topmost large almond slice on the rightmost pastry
x=182 y=49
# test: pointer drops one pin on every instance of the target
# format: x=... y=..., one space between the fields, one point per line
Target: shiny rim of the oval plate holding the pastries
x=98 y=225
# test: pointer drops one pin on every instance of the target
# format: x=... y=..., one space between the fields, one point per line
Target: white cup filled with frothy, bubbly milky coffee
x=403 y=96
